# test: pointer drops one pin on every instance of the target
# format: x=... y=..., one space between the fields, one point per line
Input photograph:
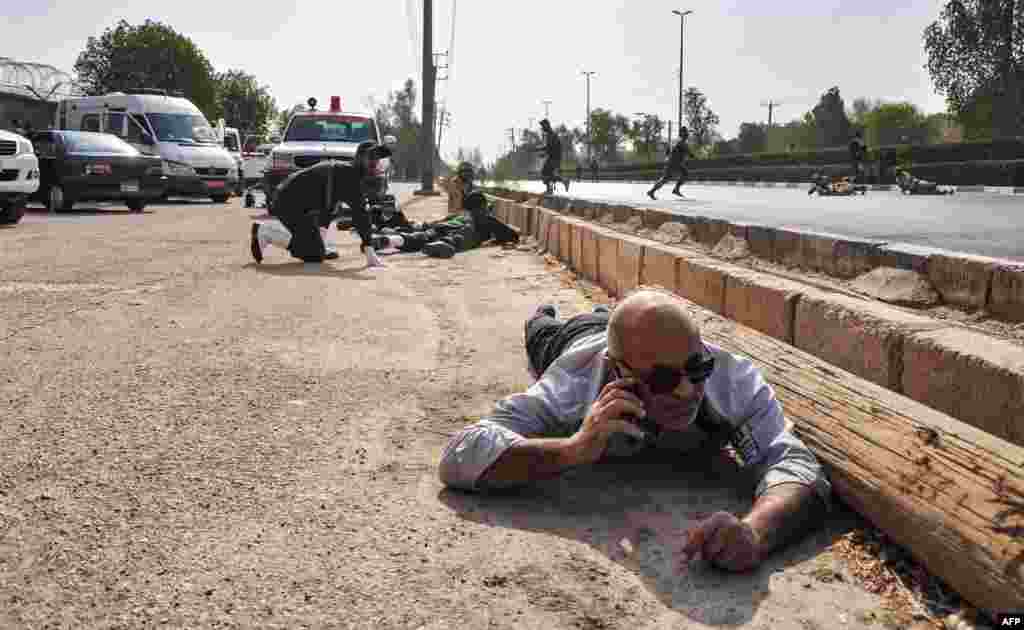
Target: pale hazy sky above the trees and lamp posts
x=509 y=57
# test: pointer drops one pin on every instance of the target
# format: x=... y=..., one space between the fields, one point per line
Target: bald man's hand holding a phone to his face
x=608 y=415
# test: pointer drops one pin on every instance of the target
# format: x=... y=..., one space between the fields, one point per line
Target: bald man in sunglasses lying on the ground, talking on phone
x=643 y=379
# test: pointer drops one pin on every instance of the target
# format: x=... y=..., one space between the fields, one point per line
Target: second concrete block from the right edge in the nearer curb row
x=863 y=338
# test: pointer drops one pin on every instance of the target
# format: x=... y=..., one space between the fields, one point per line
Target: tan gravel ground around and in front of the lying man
x=191 y=440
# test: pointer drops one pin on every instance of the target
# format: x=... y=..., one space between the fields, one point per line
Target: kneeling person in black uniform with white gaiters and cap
x=307 y=203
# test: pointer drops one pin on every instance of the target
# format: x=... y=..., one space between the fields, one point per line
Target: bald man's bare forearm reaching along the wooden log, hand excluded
x=783 y=514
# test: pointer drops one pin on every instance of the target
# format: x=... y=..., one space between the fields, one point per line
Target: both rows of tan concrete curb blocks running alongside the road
x=967 y=374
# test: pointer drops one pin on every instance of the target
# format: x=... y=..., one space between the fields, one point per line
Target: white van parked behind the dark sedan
x=195 y=160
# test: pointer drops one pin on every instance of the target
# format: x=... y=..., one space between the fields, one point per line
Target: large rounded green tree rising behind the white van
x=151 y=55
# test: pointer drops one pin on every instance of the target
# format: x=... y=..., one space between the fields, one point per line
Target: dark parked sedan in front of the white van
x=88 y=166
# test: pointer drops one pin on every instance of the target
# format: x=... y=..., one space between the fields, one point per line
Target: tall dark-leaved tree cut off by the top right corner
x=976 y=58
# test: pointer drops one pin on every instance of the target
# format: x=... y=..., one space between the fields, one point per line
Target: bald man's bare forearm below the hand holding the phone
x=532 y=460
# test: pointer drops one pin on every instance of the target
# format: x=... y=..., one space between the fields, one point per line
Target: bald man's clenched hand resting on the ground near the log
x=724 y=541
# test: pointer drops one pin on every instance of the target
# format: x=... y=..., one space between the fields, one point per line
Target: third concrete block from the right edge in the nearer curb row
x=764 y=303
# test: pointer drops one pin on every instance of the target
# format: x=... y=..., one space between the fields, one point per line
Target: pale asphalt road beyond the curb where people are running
x=990 y=225
